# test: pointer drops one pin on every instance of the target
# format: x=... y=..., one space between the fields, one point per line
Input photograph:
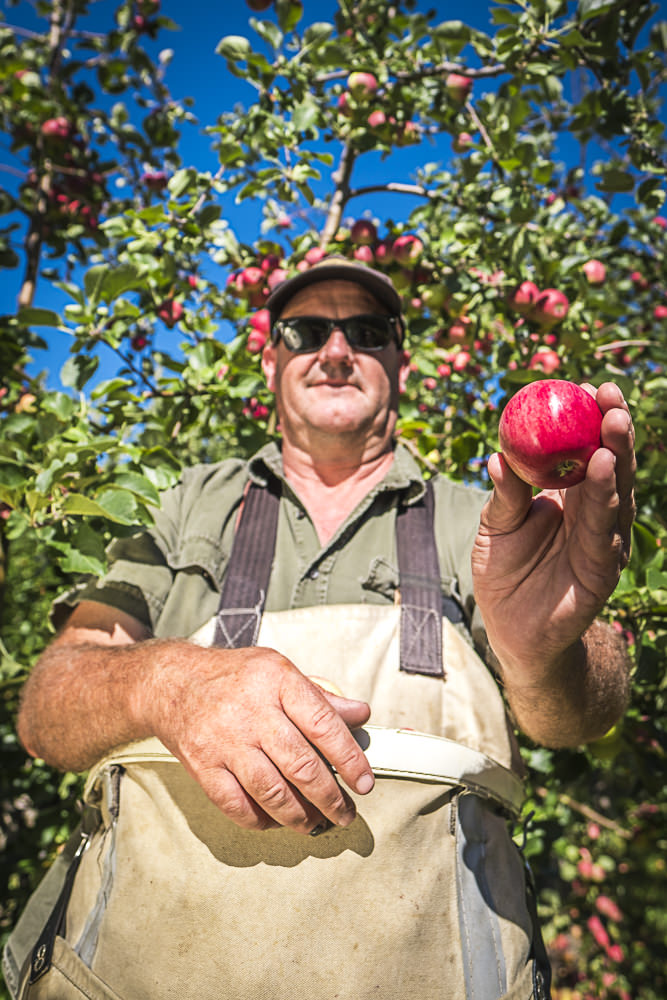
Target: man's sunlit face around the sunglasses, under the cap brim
x=336 y=390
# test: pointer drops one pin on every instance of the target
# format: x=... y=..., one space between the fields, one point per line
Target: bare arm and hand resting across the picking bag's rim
x=257 y=735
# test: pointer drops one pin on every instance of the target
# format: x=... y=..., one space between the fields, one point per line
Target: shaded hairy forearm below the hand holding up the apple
x=576 y=697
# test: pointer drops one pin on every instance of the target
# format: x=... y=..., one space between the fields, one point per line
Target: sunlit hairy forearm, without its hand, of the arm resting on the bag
x=81 y=700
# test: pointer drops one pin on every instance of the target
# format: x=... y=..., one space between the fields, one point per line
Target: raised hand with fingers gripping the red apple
x=544 y=566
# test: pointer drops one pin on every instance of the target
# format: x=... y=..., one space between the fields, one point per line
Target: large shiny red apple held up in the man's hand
x=548 y=432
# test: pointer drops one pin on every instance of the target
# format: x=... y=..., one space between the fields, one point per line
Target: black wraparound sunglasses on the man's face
x=301 y=334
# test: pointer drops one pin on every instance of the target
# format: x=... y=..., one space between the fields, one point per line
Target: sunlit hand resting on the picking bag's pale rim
x=260 y=737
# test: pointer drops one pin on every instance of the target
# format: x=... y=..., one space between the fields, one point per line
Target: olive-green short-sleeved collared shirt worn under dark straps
x=170 y=576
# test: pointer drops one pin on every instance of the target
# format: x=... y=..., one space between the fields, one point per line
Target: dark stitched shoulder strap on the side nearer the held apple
x=421 y=596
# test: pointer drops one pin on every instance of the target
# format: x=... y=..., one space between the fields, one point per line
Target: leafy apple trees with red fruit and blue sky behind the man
x=529 y=240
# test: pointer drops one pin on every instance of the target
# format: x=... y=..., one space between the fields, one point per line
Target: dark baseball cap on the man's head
x=335 y=268
